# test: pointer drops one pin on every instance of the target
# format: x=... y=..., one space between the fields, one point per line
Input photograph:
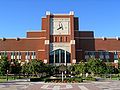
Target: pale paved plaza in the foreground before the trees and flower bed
x=25 y=85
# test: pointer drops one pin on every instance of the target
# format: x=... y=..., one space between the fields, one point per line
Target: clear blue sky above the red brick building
x=19 y=16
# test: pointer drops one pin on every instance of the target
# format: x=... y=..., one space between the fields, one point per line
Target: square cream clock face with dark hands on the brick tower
x=60 y=26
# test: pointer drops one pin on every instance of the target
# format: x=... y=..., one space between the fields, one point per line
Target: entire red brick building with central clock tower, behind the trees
x=60 y=41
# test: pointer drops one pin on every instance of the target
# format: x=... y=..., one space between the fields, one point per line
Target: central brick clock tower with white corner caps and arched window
x=60 y=43
